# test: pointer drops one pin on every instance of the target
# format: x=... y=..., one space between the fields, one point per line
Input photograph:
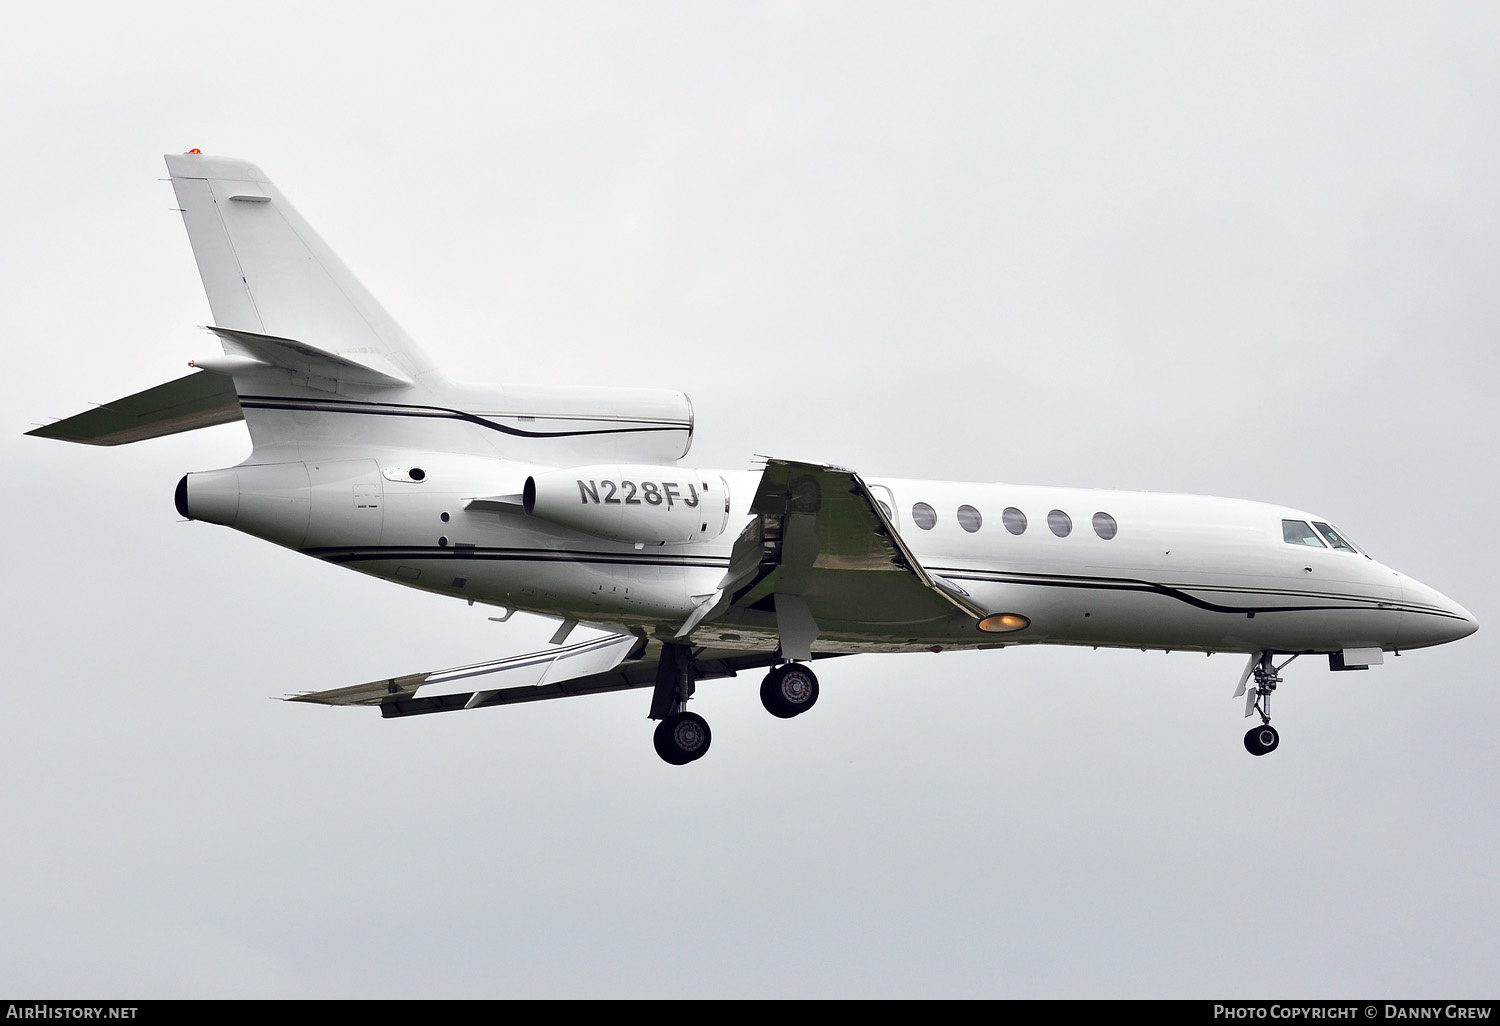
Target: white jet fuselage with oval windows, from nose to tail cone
x=1081 y=566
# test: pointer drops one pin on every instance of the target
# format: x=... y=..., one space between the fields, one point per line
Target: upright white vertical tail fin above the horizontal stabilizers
x=269 y=274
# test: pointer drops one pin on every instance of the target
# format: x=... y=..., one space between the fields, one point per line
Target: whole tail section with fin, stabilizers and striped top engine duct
x=311 y=361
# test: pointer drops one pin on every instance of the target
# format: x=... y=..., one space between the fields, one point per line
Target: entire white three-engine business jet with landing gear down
x=571 y=503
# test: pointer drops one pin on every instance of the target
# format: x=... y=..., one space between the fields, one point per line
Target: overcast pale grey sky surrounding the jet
x=1238 y=250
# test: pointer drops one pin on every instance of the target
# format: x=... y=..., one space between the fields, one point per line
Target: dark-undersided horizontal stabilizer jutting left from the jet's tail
x=196 y=401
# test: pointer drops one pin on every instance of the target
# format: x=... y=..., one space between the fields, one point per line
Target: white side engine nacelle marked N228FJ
x=643 y=505
